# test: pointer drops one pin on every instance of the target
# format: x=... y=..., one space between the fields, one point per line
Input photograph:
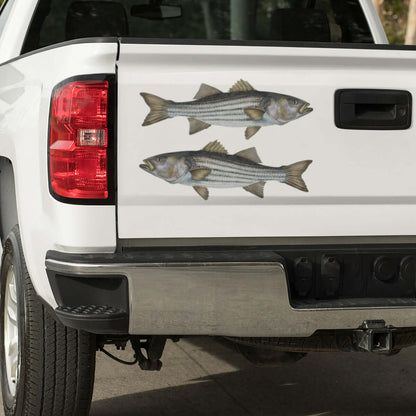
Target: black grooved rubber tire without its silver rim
x=59 y=362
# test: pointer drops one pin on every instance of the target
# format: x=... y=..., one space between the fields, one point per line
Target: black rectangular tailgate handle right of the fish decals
x=373 y=109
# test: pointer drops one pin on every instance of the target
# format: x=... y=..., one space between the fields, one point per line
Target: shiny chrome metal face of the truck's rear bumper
x=233 y=298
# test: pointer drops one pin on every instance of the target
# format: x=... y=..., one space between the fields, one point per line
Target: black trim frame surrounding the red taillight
x=112 y=145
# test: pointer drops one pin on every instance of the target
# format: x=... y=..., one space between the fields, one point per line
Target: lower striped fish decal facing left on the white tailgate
x=213 y=167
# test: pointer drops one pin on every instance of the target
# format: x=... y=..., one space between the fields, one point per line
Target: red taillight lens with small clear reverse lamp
x=79 y=140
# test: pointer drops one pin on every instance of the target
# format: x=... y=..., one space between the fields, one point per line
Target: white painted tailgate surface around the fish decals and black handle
x=361 y=181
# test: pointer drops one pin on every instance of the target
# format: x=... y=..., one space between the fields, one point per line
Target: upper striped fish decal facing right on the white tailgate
x=242 y=106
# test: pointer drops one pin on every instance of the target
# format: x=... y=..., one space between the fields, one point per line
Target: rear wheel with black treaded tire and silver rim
x=49 y=369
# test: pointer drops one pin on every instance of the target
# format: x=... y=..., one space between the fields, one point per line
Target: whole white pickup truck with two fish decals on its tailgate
x=122 y=221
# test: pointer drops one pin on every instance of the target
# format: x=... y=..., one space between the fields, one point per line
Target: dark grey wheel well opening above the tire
x=8 y=207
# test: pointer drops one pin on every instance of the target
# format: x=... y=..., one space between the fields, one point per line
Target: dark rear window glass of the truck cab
x=241 y=20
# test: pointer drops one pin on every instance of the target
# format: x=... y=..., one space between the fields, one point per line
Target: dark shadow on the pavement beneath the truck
x=320 y=384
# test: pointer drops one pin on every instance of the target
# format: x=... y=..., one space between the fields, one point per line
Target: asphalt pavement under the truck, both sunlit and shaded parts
x=202 y=377
